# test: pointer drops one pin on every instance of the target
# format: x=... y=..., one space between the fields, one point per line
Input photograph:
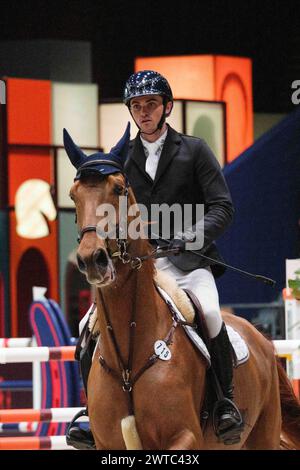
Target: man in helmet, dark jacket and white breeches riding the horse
x=164 y=165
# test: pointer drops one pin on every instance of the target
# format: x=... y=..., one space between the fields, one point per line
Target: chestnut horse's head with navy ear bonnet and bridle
x=100 y=181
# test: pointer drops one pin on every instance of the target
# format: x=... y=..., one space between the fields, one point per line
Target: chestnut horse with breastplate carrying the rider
x=165 y=397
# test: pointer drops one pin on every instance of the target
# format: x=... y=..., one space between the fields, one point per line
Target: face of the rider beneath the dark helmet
x=147 y=111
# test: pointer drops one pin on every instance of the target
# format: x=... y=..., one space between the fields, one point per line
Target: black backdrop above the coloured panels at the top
x=266 y=31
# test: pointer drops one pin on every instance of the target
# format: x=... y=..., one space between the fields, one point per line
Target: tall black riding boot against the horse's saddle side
x=228 y=421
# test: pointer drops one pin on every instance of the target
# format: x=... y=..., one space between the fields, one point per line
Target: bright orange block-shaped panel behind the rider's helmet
x=213 y=78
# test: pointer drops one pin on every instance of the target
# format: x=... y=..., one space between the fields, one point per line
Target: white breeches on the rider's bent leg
x=202 y=283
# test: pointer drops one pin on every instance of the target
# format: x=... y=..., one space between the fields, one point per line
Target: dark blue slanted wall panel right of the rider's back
x=265 y=186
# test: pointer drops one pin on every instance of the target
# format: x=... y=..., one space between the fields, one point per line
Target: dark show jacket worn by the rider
x=187 y=173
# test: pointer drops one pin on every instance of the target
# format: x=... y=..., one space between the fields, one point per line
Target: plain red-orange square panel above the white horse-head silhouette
x=28 y=111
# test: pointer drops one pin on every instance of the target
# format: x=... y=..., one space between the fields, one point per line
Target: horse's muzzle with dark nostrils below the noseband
x=97 y=267
